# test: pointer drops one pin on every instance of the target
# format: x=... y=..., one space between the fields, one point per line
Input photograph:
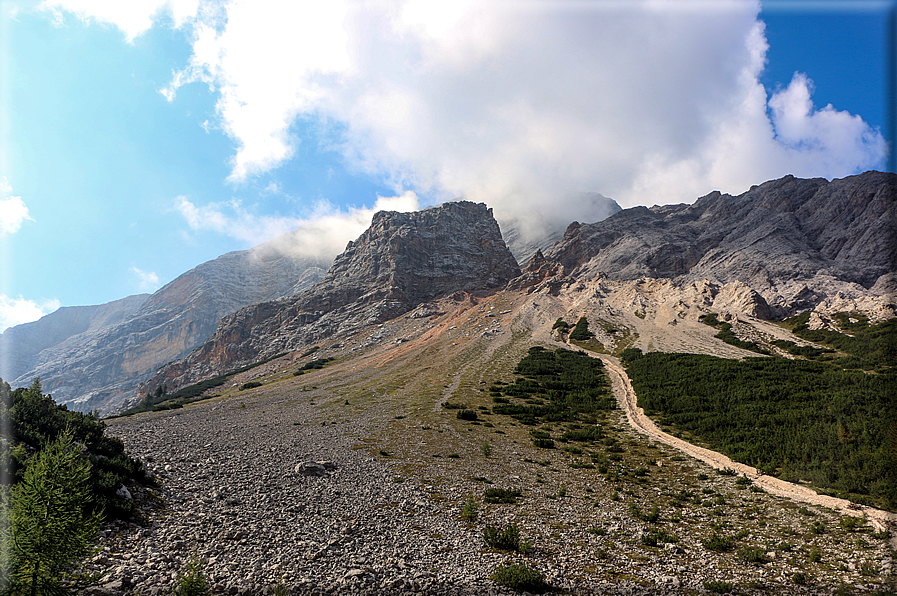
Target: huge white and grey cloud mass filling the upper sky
x=523 y=105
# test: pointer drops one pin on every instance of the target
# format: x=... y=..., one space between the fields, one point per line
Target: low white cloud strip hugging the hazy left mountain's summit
x=323 y=234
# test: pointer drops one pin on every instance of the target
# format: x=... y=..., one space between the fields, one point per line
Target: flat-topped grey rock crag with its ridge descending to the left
x=401 y=261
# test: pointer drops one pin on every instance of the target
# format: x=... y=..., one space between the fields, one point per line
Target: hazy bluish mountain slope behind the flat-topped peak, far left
x=90 y=357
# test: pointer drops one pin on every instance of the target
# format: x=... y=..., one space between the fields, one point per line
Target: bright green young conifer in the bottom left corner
x=50 y=530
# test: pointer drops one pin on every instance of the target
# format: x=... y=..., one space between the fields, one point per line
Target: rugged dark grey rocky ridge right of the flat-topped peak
x=791 y=240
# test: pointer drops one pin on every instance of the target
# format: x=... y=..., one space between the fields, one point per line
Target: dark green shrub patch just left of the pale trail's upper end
x=573 y=383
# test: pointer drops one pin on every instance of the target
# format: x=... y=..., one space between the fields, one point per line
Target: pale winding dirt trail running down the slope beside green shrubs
x=639 y=421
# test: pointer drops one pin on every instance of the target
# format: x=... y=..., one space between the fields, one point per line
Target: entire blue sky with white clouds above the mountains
x=140 y=139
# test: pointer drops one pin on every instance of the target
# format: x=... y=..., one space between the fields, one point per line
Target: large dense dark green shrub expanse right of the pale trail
x=798 y=419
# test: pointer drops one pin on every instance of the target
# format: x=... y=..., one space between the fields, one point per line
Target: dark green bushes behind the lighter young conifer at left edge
x=31 y=421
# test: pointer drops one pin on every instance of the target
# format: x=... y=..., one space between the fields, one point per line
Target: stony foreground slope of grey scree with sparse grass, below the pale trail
x=267 y=494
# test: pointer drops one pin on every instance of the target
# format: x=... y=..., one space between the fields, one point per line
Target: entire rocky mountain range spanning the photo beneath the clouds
x=782 y=247
